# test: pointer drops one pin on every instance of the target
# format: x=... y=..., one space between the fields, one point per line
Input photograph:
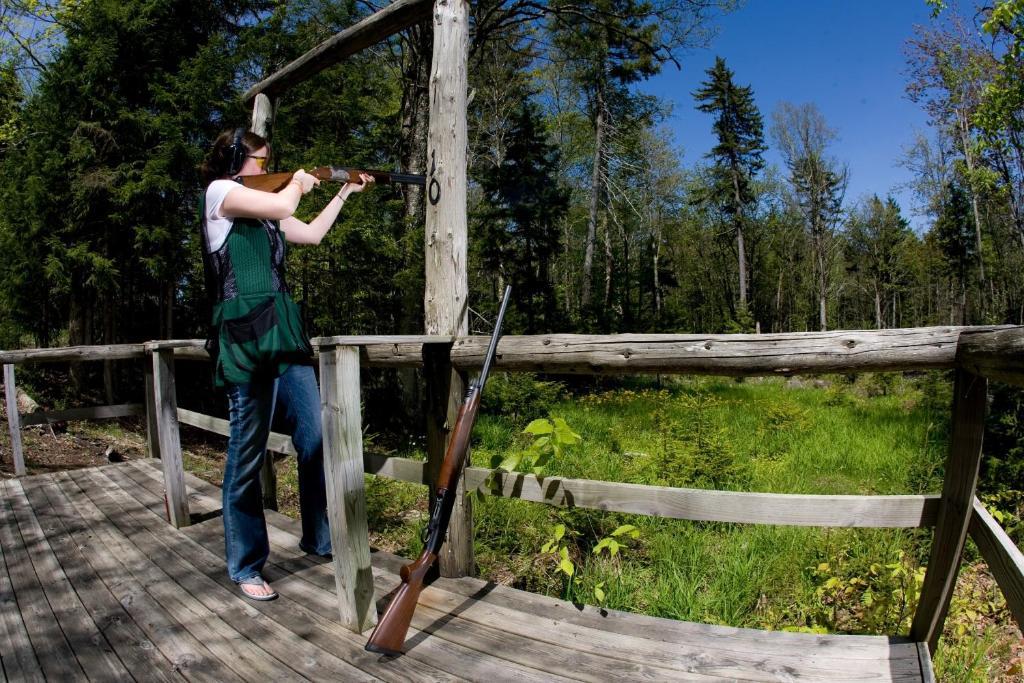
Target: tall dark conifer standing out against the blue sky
x=738 y=155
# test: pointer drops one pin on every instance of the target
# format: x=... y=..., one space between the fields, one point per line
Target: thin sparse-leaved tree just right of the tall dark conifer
x=819 y=186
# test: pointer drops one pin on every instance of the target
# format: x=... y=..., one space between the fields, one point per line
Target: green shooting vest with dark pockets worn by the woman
x=258 y=330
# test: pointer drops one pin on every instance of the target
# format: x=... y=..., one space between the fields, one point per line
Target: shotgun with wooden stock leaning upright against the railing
x=390 y=635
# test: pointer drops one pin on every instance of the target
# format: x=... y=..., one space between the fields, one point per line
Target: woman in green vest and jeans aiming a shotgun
x=261 y=349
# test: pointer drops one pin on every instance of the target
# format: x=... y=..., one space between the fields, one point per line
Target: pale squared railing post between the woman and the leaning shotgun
x=347 y=502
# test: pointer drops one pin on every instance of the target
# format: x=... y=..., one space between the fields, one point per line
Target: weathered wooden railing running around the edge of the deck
x=975 y=355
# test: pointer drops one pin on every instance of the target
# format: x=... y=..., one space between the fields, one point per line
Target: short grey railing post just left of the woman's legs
x=166 y=405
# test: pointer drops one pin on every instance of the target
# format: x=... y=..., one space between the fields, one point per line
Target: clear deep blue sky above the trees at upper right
x=847 y=58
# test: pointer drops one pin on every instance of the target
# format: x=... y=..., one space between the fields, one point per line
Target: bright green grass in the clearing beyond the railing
x=878 y=437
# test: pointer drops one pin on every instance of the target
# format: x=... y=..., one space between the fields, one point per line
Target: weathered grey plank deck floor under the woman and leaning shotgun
x=96 y=585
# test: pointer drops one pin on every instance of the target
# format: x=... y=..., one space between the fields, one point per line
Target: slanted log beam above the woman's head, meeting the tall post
x=372 y=30
